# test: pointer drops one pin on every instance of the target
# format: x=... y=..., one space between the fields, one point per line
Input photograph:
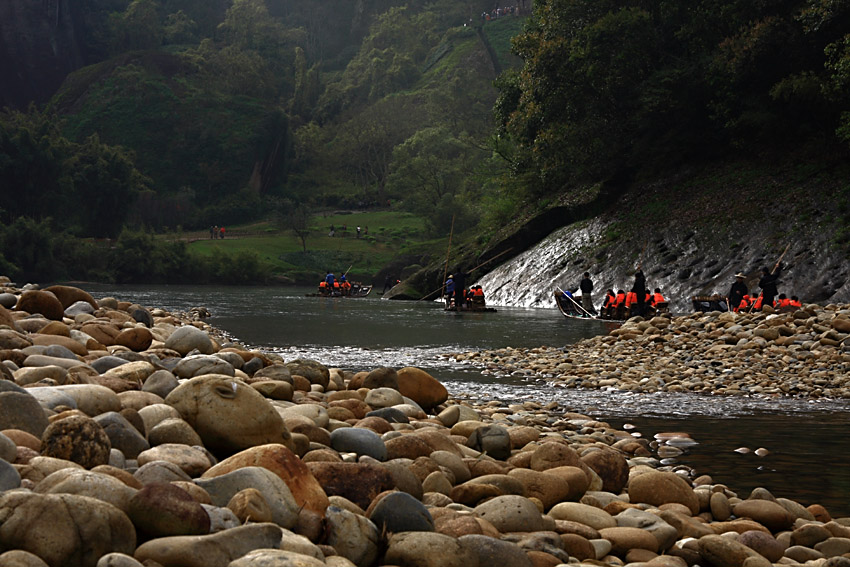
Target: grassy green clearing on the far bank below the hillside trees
x=389 y=234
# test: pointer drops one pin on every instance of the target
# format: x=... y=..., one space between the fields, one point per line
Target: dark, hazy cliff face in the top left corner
x=40 y=43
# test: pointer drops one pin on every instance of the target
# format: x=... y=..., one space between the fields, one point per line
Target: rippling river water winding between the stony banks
x=809 y=449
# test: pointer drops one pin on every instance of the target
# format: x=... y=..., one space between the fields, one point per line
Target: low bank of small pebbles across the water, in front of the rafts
x=804 y=353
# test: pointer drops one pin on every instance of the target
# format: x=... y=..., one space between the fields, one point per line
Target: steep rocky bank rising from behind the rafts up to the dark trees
x=691 y=231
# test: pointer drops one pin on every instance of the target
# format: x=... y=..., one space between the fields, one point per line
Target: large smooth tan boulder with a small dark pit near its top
x=229 y=415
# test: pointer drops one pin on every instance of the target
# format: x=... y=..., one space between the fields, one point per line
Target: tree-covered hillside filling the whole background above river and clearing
x=163 y=114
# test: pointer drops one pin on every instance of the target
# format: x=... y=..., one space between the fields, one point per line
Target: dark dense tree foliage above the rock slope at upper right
x=621 y=86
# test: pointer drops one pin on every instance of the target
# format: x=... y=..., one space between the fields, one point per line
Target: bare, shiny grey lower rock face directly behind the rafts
x=682 y=264
